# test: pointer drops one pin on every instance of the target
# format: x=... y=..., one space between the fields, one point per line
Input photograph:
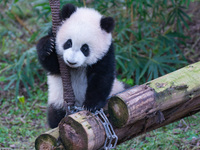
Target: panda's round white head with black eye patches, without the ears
x=80 y=39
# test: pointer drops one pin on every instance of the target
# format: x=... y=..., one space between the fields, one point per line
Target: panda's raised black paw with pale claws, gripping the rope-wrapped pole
x=46 y=47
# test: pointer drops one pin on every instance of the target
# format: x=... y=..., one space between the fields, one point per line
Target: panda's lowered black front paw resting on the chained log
x=93 y=106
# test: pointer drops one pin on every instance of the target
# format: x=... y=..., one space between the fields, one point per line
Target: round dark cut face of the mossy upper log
x=117 y=117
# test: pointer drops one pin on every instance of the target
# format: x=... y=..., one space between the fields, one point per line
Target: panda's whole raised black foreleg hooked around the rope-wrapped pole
x=47 y=54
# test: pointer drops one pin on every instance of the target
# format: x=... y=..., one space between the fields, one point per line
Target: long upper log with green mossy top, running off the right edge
x=157 y=95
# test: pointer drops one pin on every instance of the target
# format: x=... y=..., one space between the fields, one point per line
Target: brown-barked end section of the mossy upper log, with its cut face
x=126 y=107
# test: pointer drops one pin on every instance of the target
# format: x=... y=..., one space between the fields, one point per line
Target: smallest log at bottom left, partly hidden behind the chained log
x=48 y=140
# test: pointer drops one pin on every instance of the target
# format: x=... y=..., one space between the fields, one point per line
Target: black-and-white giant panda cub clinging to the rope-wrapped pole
x=84 y=41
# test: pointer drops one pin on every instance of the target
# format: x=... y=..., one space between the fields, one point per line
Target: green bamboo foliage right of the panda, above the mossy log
x=147 y=43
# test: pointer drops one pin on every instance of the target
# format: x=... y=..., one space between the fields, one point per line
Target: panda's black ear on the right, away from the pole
x=107 y=24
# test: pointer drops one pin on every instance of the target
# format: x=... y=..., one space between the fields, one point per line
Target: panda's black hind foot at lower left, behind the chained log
x=55 y=115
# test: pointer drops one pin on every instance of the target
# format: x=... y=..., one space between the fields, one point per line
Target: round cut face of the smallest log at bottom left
x=45 y=142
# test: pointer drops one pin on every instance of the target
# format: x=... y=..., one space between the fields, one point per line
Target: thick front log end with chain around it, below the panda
x=81 y=131
